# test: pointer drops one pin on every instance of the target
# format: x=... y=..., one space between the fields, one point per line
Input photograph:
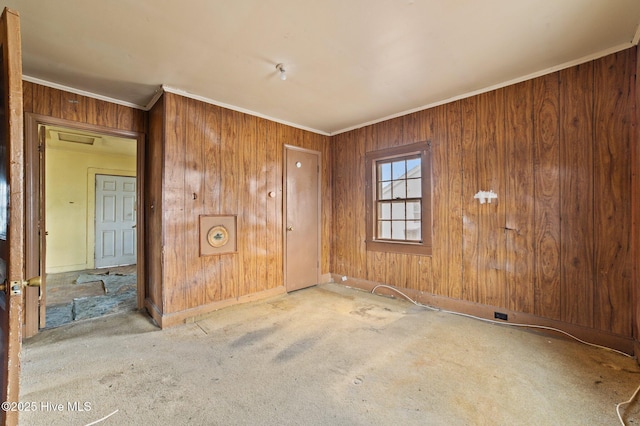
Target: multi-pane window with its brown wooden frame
x=399 y=199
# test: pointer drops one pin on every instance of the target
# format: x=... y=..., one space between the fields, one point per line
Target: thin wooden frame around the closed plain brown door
x=284 y=209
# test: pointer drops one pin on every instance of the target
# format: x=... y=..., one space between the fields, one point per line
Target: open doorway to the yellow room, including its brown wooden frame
x=85 y=193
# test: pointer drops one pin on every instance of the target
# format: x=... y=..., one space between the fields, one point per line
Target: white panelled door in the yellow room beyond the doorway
x=115 y=221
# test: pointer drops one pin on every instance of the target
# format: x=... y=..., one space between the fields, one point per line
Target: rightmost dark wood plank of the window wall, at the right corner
x=612 y=186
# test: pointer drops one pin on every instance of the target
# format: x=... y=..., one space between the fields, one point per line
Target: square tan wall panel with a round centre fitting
x=218 y=234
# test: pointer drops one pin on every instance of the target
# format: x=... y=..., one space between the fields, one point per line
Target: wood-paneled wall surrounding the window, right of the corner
x=557 y=243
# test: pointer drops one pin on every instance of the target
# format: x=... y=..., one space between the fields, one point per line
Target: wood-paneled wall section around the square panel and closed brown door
x=212 y=161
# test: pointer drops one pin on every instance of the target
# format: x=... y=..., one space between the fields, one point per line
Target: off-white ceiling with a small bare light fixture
x=349 y=62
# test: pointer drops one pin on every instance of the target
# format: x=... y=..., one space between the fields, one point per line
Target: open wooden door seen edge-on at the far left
x=11 y=210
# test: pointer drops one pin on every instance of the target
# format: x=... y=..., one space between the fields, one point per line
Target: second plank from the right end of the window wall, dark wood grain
x=576 y=194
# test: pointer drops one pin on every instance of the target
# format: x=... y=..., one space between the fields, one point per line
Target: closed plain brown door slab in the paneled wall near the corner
x=302 y=218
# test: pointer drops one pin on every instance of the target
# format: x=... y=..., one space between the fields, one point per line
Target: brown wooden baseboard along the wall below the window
x=598 y=337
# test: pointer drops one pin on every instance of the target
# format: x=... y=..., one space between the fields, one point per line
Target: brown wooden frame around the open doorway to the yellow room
x=34 y=182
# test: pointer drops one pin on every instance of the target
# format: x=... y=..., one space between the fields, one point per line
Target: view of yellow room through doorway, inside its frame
x=90 y=224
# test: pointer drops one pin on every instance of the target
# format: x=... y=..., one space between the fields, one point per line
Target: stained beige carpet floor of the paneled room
x=327 y=355
